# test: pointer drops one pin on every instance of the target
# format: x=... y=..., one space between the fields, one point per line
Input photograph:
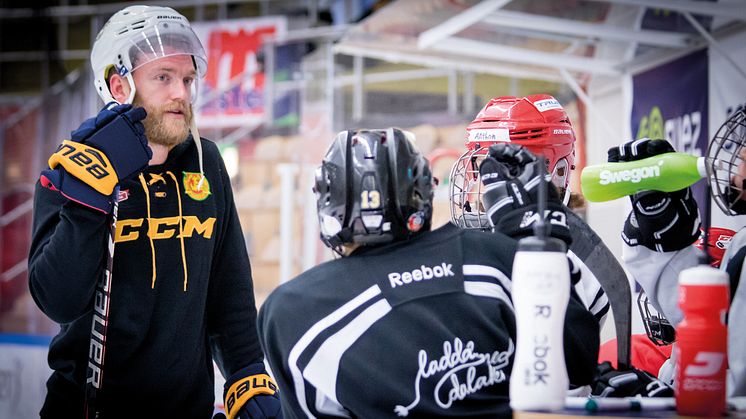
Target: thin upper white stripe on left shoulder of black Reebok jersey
x=314 y=331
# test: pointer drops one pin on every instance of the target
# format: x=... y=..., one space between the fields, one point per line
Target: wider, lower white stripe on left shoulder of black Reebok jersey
x=323 y=367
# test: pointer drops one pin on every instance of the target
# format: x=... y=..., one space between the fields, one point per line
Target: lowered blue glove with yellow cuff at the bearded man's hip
x=251 y=393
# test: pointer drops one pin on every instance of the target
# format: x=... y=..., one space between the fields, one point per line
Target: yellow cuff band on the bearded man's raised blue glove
x=86 y=163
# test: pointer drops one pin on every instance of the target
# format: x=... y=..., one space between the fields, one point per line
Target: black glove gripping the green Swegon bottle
x=660 y=221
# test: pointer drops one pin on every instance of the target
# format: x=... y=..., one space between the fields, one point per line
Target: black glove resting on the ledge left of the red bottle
x=609 y=382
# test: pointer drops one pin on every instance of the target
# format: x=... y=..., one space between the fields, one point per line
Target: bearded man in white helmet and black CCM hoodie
x=139 y=341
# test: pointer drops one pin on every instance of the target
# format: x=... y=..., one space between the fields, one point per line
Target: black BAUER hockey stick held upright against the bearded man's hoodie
x=101 y=303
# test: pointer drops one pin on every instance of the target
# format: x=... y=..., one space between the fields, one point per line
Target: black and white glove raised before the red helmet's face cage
x=510 y=174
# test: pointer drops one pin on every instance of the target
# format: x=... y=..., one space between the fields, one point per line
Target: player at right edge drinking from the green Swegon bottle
x=662 y=228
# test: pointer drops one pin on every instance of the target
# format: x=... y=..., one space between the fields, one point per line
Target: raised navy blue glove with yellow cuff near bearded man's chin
x=104 y=150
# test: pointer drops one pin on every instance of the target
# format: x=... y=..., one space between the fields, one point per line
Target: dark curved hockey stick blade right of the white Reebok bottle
x=598 y=258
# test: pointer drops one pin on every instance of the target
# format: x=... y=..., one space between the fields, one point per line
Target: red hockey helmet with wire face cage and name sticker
x=538 y=122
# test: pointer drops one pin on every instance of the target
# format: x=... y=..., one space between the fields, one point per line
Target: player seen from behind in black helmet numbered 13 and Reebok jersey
x=408 y=321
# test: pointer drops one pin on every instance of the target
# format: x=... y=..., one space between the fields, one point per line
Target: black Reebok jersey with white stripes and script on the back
x=418 y=328
